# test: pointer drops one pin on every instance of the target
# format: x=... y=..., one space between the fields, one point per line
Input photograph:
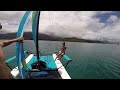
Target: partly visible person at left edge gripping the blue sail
x=4 y=71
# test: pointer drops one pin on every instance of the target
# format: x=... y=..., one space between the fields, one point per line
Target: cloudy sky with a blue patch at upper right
x=82 y=24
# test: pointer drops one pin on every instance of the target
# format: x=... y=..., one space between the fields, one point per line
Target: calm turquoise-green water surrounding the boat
x=90 y=60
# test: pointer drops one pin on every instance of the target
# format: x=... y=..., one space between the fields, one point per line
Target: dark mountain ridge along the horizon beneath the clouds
x=28 y=36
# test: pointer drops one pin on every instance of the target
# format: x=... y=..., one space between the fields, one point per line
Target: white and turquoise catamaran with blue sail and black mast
x=36 y=65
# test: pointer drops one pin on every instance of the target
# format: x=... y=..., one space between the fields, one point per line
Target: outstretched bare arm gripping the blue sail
x=8 y=42
